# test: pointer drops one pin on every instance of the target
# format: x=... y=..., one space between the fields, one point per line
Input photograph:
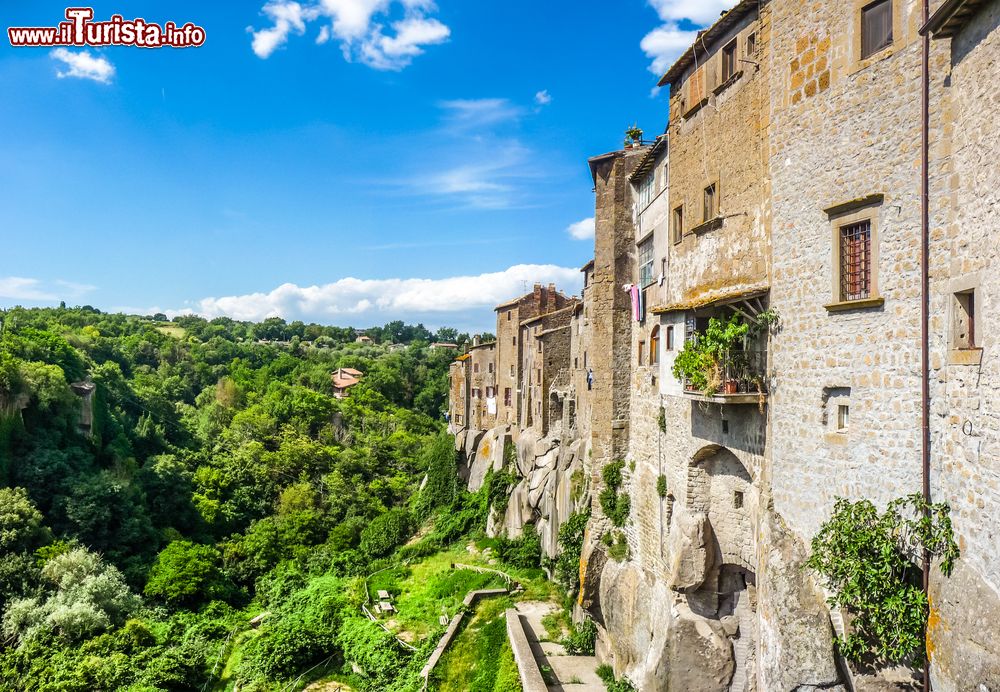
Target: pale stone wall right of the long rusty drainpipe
x=965 y=417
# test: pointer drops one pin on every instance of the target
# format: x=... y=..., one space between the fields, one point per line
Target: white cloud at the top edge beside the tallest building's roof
x=667 y=42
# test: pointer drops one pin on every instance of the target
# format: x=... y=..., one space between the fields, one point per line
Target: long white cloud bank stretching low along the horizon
x=375 y=300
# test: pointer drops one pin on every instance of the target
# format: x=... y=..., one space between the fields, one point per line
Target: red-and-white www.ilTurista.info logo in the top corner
x=81 y=30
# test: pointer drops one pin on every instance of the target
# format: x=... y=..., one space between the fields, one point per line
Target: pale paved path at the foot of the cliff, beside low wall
x=568 y=673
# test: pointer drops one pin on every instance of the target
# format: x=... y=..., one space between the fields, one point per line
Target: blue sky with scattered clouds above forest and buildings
x=343 y=161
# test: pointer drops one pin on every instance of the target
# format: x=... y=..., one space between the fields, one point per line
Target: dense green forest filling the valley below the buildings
x=184 y=505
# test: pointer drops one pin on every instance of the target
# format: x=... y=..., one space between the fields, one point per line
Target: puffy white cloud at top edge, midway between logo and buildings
x=364 y=28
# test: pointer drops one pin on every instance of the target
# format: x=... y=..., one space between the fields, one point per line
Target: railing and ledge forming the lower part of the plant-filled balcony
x=735 y=377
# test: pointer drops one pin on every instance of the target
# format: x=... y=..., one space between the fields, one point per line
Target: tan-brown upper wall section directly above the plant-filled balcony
x=722 y=142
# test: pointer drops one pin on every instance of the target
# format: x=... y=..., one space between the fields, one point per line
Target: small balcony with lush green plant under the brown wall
x=724 y=358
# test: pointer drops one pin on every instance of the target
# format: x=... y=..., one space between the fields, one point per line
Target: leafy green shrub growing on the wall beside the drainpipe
x=869 y=561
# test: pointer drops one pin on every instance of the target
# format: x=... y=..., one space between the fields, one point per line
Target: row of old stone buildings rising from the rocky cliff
x=784 y=196
